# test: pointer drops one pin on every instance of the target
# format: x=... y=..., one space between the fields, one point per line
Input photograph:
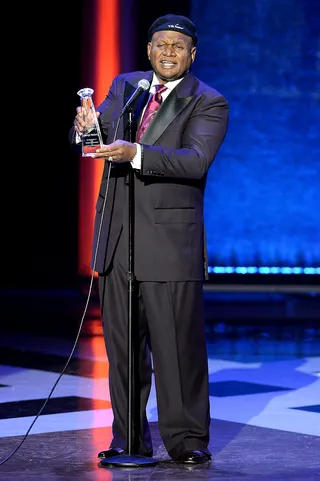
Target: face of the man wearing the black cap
x=171 y=54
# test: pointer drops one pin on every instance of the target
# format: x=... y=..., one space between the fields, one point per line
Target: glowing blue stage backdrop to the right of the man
x=263 y=195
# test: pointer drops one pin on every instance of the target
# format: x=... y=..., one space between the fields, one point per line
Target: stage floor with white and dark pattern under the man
x=264 y=395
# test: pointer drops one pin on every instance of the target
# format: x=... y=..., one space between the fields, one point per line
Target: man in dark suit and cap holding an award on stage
x=170 y=159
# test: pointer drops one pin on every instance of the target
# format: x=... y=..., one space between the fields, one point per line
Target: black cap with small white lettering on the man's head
x=176 y=23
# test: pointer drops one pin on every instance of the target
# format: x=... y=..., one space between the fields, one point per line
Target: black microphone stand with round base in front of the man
x=131 y=459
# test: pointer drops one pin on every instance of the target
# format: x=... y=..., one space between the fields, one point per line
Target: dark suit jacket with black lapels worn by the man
x=177 y=151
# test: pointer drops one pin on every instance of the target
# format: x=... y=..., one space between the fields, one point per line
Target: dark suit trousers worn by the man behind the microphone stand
x=169 y=340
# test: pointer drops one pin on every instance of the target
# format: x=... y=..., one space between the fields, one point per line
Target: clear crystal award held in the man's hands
x=91 y=137
